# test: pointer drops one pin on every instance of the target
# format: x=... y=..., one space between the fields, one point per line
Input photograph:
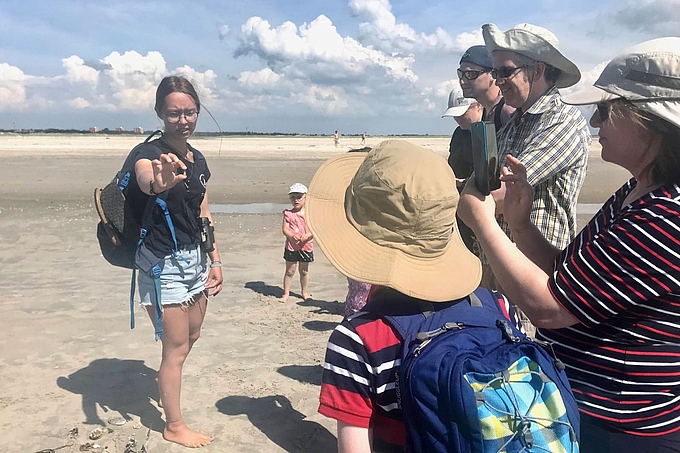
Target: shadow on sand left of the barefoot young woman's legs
x=123 y=386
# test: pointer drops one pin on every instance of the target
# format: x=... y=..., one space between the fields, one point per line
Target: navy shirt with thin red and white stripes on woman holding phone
x=621 y=279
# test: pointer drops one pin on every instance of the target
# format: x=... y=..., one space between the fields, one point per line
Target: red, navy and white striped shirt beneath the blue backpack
x=359 y=381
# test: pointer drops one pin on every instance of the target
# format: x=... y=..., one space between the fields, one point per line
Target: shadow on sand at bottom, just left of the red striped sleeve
x=283 y=425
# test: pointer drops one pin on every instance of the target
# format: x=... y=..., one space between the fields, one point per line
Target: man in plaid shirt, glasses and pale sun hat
x=550 y=137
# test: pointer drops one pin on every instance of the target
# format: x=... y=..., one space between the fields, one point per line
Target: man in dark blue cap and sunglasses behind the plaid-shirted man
x=474 y=75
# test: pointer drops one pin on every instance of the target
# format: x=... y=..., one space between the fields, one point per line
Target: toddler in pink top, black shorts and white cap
x=299 y=242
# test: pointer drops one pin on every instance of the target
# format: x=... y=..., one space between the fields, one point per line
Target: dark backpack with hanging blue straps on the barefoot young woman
x=121 y=237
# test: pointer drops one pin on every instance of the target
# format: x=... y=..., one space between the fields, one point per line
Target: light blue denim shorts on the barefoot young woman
x=182 y=278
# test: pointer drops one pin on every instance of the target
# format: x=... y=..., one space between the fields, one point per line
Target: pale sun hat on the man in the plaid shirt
x=535 y=42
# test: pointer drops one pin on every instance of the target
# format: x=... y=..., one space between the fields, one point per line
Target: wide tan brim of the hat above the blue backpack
x=451 y=275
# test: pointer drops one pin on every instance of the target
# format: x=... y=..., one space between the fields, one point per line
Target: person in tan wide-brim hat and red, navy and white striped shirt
x=387 y=218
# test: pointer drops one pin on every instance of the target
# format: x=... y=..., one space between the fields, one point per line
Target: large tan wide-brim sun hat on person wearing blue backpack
x=388 y=217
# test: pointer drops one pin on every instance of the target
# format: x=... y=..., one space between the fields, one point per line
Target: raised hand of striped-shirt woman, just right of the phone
x=519 y=195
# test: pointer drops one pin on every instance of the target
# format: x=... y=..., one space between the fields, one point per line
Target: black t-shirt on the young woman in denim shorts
x=183 y=201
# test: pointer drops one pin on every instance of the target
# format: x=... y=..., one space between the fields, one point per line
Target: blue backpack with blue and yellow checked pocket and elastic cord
x=470 y=381
